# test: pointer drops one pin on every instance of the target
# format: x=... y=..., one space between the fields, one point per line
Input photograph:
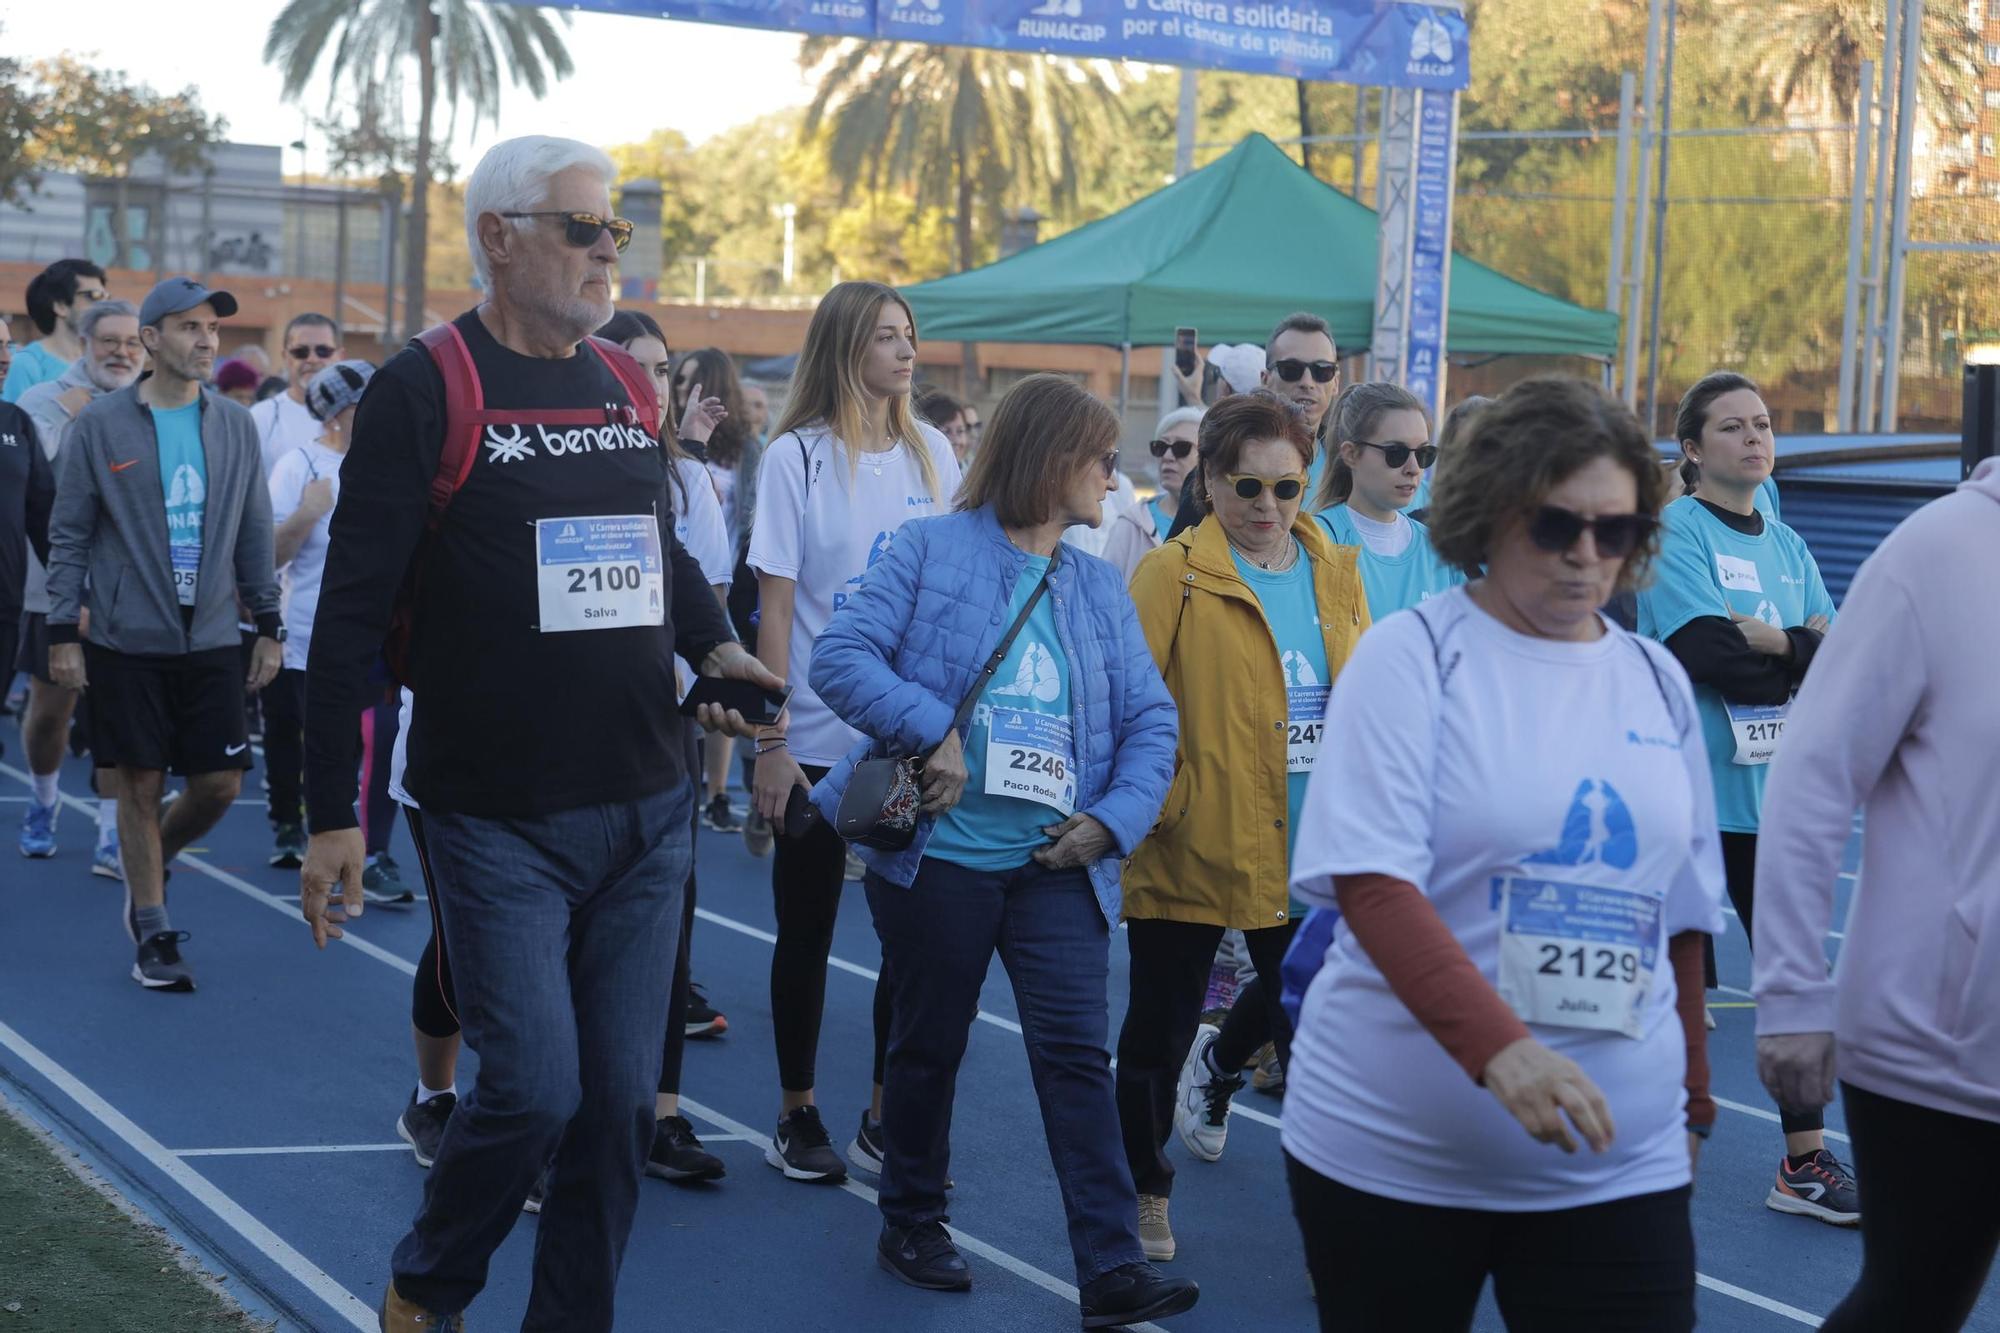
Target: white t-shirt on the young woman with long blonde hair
x=825 y=533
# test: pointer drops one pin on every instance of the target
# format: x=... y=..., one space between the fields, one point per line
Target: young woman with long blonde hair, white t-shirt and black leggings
x=849 y=463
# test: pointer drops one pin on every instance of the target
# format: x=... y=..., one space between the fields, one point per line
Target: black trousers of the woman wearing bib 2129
x=1385 y=1266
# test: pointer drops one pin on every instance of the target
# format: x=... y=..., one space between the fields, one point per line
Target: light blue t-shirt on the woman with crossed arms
x=1709 y=569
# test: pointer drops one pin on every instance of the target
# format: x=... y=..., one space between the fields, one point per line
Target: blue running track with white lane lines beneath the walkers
x=257 y=1122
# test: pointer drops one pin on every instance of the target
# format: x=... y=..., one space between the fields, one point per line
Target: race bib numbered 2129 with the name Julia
x=1577 y=956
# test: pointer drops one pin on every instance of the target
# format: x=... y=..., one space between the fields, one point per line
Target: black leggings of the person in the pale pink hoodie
x=1929 y=1232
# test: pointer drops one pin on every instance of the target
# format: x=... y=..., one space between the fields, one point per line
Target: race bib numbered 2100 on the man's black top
x=599 y=573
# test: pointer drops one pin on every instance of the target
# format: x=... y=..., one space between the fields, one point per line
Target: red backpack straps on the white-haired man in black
x=467 y=419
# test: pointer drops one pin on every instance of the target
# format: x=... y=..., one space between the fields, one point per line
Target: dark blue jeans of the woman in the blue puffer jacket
x=939 y=938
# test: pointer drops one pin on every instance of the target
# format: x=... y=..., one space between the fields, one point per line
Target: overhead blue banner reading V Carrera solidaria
x=1379 y=43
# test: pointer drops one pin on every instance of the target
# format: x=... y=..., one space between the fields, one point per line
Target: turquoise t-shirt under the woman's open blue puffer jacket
x=1021 y=750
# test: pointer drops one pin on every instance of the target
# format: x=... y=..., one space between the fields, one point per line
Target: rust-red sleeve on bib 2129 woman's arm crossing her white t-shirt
x=1429 y=970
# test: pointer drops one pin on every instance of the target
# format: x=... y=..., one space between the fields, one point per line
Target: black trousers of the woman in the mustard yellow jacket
x=1169 y=980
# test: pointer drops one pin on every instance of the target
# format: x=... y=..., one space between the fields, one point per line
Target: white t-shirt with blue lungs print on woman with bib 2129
x=1541 y=764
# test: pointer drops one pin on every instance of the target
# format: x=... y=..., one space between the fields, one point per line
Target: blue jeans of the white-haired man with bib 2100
x=563 y=934
